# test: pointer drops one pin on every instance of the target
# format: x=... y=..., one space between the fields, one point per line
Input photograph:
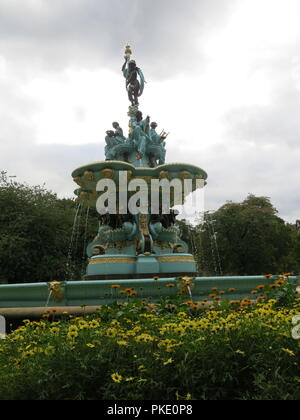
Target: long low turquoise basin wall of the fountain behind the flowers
x=99 y=292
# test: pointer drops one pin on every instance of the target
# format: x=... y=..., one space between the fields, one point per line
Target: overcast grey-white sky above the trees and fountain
x=223 y=76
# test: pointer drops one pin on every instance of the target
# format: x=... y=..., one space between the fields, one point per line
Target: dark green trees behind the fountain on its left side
x=35 y=234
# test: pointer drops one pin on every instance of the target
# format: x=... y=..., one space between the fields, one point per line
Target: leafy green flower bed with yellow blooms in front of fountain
x=136 y=350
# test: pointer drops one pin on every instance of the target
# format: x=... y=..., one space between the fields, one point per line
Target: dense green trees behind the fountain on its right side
x=245 y=238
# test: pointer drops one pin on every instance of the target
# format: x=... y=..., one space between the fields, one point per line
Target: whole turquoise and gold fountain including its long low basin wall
x=137 y=248
